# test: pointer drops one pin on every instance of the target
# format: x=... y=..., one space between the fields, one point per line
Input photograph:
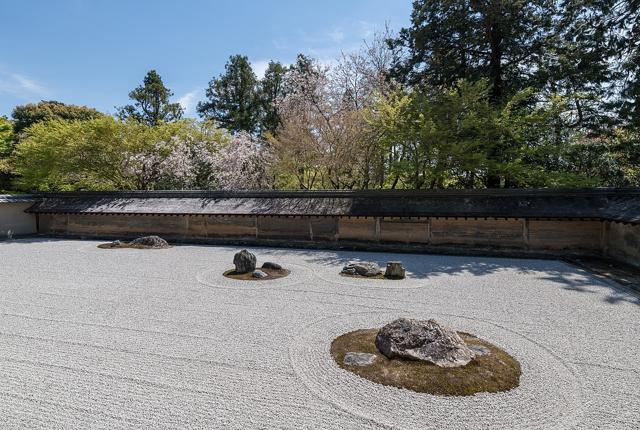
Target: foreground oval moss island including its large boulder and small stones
x=426 y=357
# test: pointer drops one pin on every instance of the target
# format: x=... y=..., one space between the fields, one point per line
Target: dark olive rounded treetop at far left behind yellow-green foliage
x=26 y=115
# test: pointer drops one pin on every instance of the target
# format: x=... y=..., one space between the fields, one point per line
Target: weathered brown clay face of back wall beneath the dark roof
x=429 y=233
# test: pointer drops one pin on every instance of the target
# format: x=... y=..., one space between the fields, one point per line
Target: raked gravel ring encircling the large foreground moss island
x=549 y=395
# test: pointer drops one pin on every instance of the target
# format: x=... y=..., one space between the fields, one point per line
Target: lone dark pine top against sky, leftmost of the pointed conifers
x=151 y=102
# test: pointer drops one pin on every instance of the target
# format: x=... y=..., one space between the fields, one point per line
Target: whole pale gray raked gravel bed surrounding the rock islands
x=132 y=339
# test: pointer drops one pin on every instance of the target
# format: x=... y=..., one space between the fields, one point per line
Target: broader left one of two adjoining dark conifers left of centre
x=232 y=98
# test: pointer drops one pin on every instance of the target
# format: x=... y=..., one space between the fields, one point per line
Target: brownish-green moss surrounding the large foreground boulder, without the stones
x=492 y=373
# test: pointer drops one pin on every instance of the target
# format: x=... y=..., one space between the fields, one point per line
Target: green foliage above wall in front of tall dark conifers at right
x=458 y=138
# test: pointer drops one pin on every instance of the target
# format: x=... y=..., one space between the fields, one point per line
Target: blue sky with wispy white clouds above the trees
x=94 y=52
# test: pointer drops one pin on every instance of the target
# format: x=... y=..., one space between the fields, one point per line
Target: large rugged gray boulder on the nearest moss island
x=423 y=340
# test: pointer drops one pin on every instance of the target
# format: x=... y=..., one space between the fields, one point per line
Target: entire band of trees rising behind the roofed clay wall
x=472 y=94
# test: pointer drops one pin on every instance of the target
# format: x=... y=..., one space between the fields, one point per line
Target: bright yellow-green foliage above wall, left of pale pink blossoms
x=98 y=154
